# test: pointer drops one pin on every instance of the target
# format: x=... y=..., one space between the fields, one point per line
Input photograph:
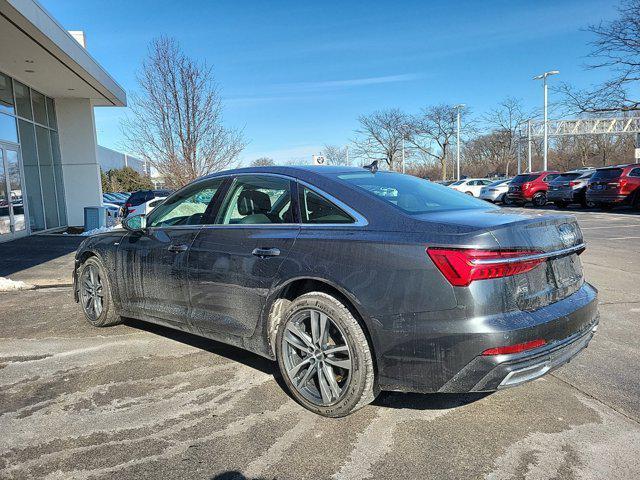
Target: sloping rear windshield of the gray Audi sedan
x=410 y=194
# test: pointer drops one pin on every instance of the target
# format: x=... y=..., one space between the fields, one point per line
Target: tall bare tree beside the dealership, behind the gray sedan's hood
x=176 y=119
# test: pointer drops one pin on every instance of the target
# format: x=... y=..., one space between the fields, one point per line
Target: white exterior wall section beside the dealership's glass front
x=78 y=149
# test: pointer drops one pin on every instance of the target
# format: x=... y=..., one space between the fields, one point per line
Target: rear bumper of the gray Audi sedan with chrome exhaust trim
x=445 y=355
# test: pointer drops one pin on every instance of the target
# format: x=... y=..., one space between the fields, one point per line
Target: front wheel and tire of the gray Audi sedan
x=94 y=293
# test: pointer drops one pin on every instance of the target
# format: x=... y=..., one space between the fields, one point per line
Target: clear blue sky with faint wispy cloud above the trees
x=296 y=75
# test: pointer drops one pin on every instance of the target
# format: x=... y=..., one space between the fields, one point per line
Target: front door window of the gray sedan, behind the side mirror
x=186 y=207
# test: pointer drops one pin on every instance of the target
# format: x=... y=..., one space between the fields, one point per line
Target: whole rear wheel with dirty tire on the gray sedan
x=324 y=356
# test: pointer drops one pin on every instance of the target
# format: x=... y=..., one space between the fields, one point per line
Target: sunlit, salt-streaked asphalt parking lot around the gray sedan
x=139 y=401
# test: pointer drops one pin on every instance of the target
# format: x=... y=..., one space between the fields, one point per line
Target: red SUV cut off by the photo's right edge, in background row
x=617 y=185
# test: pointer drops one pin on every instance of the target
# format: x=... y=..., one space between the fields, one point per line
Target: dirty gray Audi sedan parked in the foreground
x=354 y=280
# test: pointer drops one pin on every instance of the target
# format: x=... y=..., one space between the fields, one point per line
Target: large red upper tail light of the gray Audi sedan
x=462 y=266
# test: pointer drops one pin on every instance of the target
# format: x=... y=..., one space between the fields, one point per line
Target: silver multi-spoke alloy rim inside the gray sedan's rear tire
x=317 y=358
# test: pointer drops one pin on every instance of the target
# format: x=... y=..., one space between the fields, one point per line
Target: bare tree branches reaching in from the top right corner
x=616 y=47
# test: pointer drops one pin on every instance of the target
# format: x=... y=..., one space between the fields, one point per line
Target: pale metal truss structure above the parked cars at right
x=579 y=126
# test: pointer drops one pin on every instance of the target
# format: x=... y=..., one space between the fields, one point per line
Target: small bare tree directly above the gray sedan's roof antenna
x=379 y=136
